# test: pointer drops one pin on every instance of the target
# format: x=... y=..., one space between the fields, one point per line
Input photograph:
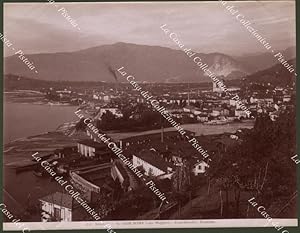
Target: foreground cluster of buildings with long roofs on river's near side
x=98 y=174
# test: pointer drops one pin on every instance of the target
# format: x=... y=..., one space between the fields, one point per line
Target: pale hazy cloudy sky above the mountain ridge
x=203 y=26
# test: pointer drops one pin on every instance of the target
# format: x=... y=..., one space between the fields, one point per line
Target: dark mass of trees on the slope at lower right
x=264 y=151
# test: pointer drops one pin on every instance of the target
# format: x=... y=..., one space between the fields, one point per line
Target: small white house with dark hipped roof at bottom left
x=57 y=205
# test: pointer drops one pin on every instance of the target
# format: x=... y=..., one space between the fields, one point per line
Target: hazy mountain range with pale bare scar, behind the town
x=146 y=63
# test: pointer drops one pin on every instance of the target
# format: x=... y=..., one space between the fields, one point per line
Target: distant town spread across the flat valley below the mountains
x=186 y=104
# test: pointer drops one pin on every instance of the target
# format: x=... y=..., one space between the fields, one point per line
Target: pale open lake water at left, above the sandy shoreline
x=23 y=120
